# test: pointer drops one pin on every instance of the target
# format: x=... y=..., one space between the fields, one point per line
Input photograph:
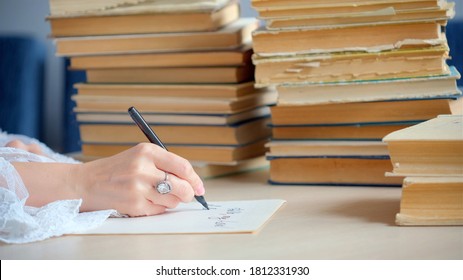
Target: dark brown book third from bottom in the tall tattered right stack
x=337 y=132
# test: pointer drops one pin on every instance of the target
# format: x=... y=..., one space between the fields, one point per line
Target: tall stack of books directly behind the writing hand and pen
x=185 y=65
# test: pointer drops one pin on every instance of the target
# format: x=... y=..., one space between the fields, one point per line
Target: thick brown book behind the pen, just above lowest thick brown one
x=237 y=134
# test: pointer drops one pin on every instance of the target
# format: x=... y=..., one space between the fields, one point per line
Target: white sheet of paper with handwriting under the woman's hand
x=246 y=216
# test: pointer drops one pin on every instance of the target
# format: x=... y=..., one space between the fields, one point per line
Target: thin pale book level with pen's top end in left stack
x=173 y=118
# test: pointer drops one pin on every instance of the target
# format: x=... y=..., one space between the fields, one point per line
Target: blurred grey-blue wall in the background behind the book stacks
x=28 y=17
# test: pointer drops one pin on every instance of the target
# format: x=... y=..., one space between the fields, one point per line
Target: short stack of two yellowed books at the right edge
x=430 y=157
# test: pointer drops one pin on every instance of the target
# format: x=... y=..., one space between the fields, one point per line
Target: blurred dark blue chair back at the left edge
x=22 y=61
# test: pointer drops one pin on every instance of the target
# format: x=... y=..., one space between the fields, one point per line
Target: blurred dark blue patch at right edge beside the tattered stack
x=454 y=32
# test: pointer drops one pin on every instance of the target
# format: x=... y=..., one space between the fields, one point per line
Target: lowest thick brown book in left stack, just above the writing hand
x=218 y=154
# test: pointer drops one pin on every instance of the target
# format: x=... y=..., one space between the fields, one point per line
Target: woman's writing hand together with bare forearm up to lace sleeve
x=125 y=182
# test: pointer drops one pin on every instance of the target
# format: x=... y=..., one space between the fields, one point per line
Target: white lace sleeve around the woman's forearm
x=22 y=224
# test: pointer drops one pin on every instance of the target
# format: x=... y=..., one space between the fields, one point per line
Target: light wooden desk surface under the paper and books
x=315 y=223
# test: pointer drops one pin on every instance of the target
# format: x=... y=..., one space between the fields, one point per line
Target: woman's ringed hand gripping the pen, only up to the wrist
x=126 y=182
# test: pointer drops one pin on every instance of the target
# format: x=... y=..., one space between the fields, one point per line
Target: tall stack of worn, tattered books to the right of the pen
x=347 y=73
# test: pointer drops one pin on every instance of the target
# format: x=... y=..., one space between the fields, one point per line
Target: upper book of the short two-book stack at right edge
x=431 y=148
